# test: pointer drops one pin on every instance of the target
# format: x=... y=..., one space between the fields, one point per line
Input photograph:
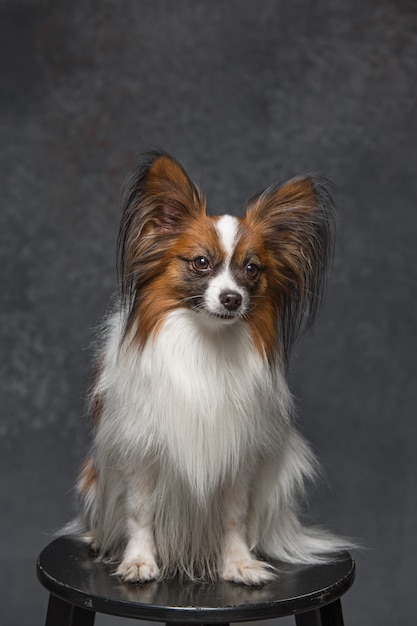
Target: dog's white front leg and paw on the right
x=238 y=563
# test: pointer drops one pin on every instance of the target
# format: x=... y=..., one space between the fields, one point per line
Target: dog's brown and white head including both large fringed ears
x=265 y=269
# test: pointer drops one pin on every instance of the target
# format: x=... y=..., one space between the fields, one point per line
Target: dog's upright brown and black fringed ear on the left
x=159 y=201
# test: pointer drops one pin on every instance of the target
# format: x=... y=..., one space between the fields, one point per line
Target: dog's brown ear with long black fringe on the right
x=297 y=223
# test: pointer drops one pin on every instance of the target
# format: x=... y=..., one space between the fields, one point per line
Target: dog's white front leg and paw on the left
x=139 y=559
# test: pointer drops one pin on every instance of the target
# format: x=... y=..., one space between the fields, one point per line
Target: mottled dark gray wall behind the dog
x=243 y=93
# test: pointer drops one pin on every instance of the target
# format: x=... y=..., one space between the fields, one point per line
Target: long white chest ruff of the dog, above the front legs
x=198 y=399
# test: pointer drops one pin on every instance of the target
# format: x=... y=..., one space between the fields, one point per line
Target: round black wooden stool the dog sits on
x=80 y=587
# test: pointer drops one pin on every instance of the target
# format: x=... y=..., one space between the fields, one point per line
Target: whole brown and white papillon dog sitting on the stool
x=196 y=466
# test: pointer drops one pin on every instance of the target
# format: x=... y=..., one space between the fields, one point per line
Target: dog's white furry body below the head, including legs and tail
x=200 y=464
